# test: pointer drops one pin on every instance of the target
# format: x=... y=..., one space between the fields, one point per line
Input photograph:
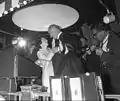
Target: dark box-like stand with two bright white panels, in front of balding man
x=78 y=88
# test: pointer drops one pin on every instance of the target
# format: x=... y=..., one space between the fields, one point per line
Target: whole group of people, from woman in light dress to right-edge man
x=98 y=52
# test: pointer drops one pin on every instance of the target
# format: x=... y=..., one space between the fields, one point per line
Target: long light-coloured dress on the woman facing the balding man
x=44 y=61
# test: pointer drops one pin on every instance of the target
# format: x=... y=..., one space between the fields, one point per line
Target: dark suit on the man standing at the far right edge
x=113 y=63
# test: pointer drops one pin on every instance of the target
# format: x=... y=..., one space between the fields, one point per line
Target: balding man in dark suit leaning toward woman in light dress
x=65 y=62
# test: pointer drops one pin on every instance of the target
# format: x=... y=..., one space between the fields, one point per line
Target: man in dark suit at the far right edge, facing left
x=110 y=55
